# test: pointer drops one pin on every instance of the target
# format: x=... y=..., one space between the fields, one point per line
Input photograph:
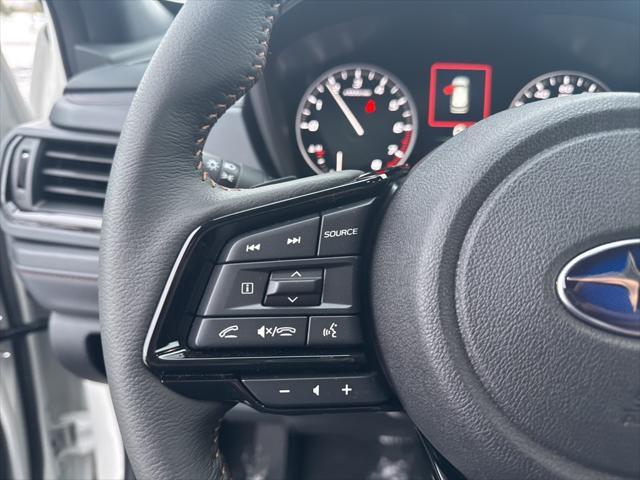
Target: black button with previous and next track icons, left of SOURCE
x=291 y=240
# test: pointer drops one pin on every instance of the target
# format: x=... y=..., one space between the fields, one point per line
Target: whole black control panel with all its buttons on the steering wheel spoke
x=269 y=307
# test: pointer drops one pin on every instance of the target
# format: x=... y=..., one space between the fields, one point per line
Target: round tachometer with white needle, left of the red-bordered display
x=356 y=117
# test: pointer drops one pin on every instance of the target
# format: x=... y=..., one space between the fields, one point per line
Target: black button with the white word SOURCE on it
x=342 y=229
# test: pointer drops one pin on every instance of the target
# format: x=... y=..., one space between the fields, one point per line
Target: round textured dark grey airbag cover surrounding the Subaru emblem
x=493 y=369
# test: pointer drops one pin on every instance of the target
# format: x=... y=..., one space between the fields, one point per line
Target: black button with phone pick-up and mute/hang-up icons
x=248 y=332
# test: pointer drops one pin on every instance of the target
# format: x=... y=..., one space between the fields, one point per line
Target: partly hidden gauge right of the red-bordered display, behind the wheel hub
x=557 y=84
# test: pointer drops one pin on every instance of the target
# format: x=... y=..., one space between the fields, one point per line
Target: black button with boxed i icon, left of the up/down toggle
x=233 y=288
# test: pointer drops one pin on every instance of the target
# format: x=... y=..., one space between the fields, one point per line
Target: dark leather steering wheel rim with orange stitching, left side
x=212 y=54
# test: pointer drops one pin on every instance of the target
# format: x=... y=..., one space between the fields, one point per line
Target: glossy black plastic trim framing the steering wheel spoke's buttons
x=215 y=374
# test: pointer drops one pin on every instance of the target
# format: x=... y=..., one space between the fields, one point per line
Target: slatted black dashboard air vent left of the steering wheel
x=73 y=175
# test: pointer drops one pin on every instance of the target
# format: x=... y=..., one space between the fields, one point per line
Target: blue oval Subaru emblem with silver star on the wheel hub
x=602 y=286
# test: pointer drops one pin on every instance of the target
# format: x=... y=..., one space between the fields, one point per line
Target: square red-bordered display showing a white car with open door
x=459 y=94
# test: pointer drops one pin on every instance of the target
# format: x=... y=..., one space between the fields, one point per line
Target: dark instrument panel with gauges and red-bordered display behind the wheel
x=365 y=86
